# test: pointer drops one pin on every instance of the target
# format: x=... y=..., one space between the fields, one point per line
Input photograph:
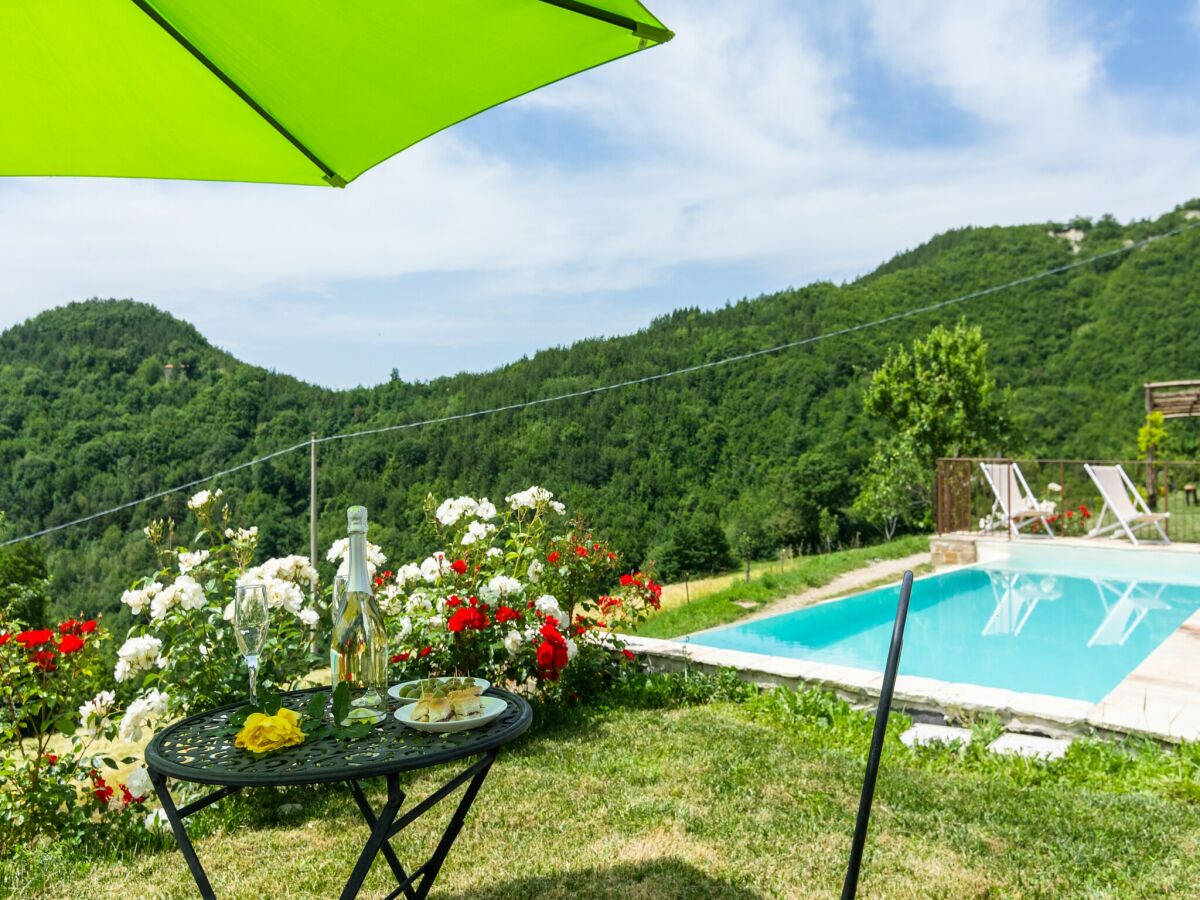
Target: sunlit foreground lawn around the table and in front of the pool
x=740 y=797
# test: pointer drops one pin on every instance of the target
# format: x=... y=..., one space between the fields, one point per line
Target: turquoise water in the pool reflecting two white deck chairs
x=1064 y=635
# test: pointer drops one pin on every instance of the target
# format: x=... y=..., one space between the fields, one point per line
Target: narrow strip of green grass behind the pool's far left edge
x=719 y=608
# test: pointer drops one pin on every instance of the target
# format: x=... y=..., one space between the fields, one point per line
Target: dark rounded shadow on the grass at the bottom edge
x=651 y=880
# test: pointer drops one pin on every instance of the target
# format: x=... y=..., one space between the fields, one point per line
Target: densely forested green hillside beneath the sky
x=93 y=417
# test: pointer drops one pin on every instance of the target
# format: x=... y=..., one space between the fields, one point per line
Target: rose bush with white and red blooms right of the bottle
x=523 y=597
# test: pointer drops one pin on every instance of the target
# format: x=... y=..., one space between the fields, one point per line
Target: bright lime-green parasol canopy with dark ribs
x=292 y=92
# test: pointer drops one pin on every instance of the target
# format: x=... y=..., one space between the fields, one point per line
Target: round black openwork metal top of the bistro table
x=200 y=749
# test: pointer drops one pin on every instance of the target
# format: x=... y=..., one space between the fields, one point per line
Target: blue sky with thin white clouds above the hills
x=770 y=145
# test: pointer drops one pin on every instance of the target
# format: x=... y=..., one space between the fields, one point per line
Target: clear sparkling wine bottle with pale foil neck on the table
x=359 y=651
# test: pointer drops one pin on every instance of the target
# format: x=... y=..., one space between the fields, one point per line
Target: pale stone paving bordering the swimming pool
x=1160 y=699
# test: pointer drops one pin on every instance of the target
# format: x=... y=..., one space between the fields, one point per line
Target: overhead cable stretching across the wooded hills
x=629 y=383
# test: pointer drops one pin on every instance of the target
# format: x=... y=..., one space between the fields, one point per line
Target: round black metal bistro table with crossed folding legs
x=200 y=749
